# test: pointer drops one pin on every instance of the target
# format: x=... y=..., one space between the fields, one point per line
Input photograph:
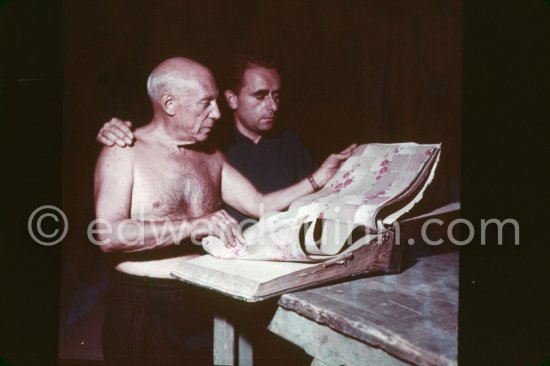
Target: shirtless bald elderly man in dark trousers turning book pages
x=153 y=198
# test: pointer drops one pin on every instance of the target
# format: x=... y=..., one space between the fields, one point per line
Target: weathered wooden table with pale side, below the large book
x=398 y=319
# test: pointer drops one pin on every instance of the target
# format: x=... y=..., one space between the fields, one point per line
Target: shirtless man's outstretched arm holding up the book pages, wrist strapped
x=238 y=192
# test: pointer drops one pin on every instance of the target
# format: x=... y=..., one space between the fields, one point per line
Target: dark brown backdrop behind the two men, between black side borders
x=358 y=71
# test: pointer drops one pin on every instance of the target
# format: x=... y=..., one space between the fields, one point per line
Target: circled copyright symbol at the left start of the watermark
x=36 y=226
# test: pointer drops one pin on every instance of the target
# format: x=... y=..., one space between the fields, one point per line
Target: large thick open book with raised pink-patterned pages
x=343 y=230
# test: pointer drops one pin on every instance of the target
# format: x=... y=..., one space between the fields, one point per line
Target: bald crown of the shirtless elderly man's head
x=174 y=75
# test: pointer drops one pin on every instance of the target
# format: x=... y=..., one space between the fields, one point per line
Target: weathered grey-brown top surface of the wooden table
x=412 y=316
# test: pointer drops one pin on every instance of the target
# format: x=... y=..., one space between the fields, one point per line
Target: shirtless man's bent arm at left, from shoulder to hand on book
x=117 y=231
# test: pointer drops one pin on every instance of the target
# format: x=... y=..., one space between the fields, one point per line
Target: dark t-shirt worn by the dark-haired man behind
x=274 y=163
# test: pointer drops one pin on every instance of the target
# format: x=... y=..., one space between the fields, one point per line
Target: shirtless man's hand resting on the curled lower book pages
x=221 y=225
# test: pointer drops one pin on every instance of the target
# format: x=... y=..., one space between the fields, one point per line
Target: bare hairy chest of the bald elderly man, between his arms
x=175 y=185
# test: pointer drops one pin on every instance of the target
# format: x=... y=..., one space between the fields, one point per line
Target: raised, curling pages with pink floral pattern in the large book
x=375 y=176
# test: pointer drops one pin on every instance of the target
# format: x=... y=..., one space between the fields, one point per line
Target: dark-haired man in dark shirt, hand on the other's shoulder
x=270 y=159
